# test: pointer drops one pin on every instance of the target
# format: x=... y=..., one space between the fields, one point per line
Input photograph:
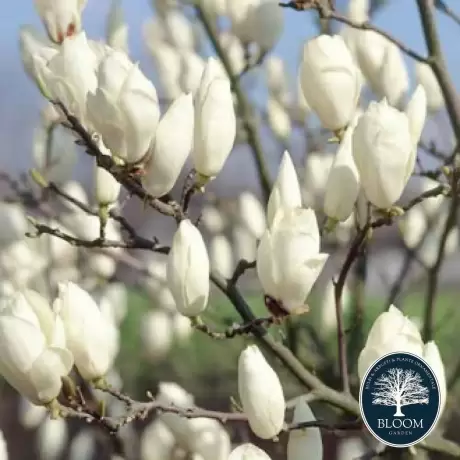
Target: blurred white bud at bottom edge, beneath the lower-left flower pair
x=52 y=438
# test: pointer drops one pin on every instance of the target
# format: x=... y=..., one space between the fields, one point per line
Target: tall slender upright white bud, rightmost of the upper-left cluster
x=215 y=121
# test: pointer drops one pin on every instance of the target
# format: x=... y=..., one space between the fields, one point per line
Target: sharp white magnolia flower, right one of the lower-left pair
x=92 y=337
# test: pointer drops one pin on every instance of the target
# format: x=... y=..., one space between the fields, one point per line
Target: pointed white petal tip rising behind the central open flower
x=286 y=189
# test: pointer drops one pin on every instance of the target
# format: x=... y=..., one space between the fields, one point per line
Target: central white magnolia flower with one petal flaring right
x=289 y=259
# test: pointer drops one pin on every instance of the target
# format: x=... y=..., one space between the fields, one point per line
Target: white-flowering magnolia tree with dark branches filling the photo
x=64 y=297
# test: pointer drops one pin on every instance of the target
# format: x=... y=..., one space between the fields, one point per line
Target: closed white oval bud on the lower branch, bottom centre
x=261 y=393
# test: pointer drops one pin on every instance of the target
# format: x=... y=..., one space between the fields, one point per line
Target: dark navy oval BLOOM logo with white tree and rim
x=400 y=399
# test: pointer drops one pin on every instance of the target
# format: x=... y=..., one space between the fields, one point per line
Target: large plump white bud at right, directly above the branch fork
x=383 y=152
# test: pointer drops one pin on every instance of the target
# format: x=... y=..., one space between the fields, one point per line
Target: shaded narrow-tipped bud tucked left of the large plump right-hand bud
x=343 y=183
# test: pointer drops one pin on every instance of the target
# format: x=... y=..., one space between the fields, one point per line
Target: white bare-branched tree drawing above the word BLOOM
x=399 y=387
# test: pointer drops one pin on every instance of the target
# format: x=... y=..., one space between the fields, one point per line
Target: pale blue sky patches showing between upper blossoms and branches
x=21 y=101
